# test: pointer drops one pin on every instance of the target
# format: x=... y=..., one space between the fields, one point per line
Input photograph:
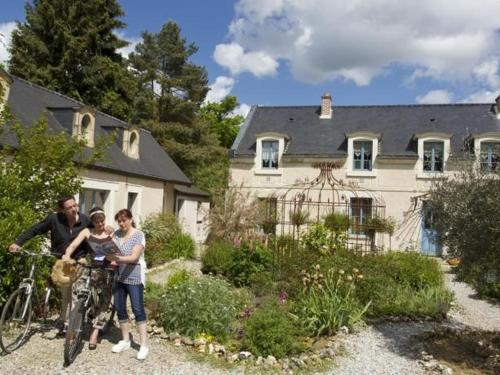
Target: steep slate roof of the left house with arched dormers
x=28 y=101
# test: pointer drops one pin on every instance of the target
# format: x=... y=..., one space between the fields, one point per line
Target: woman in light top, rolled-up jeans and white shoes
x=130 y=281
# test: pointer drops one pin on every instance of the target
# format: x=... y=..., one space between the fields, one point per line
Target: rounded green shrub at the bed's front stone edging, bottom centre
x=270 y=331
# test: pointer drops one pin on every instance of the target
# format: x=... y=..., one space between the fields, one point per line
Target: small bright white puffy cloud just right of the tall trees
x=233 y=57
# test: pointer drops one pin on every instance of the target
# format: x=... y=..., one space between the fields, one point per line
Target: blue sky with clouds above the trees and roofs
x=363 y=52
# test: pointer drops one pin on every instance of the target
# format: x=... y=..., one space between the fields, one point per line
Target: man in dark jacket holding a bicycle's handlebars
x=63 y=226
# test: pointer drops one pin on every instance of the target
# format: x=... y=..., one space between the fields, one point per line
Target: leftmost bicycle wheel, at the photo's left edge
x=15 y=320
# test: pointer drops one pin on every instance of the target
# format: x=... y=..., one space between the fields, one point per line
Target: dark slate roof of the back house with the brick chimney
x=311 y=136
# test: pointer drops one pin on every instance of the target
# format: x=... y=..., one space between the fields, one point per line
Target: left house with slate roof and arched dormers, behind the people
x=136 y=172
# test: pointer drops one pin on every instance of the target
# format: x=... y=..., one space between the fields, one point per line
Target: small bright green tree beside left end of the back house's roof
x=221 y=120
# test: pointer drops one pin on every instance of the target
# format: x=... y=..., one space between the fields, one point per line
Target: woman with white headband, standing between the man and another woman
x=101 y=244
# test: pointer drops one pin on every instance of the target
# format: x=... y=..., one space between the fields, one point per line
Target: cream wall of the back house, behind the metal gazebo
x=399 y=185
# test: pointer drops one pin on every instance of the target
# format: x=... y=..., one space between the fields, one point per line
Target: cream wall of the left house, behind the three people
x=150 y=193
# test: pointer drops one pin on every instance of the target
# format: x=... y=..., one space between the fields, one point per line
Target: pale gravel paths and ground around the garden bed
x=388 y=348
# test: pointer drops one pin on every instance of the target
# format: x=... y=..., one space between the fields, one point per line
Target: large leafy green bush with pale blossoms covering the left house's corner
x=32 y=177
